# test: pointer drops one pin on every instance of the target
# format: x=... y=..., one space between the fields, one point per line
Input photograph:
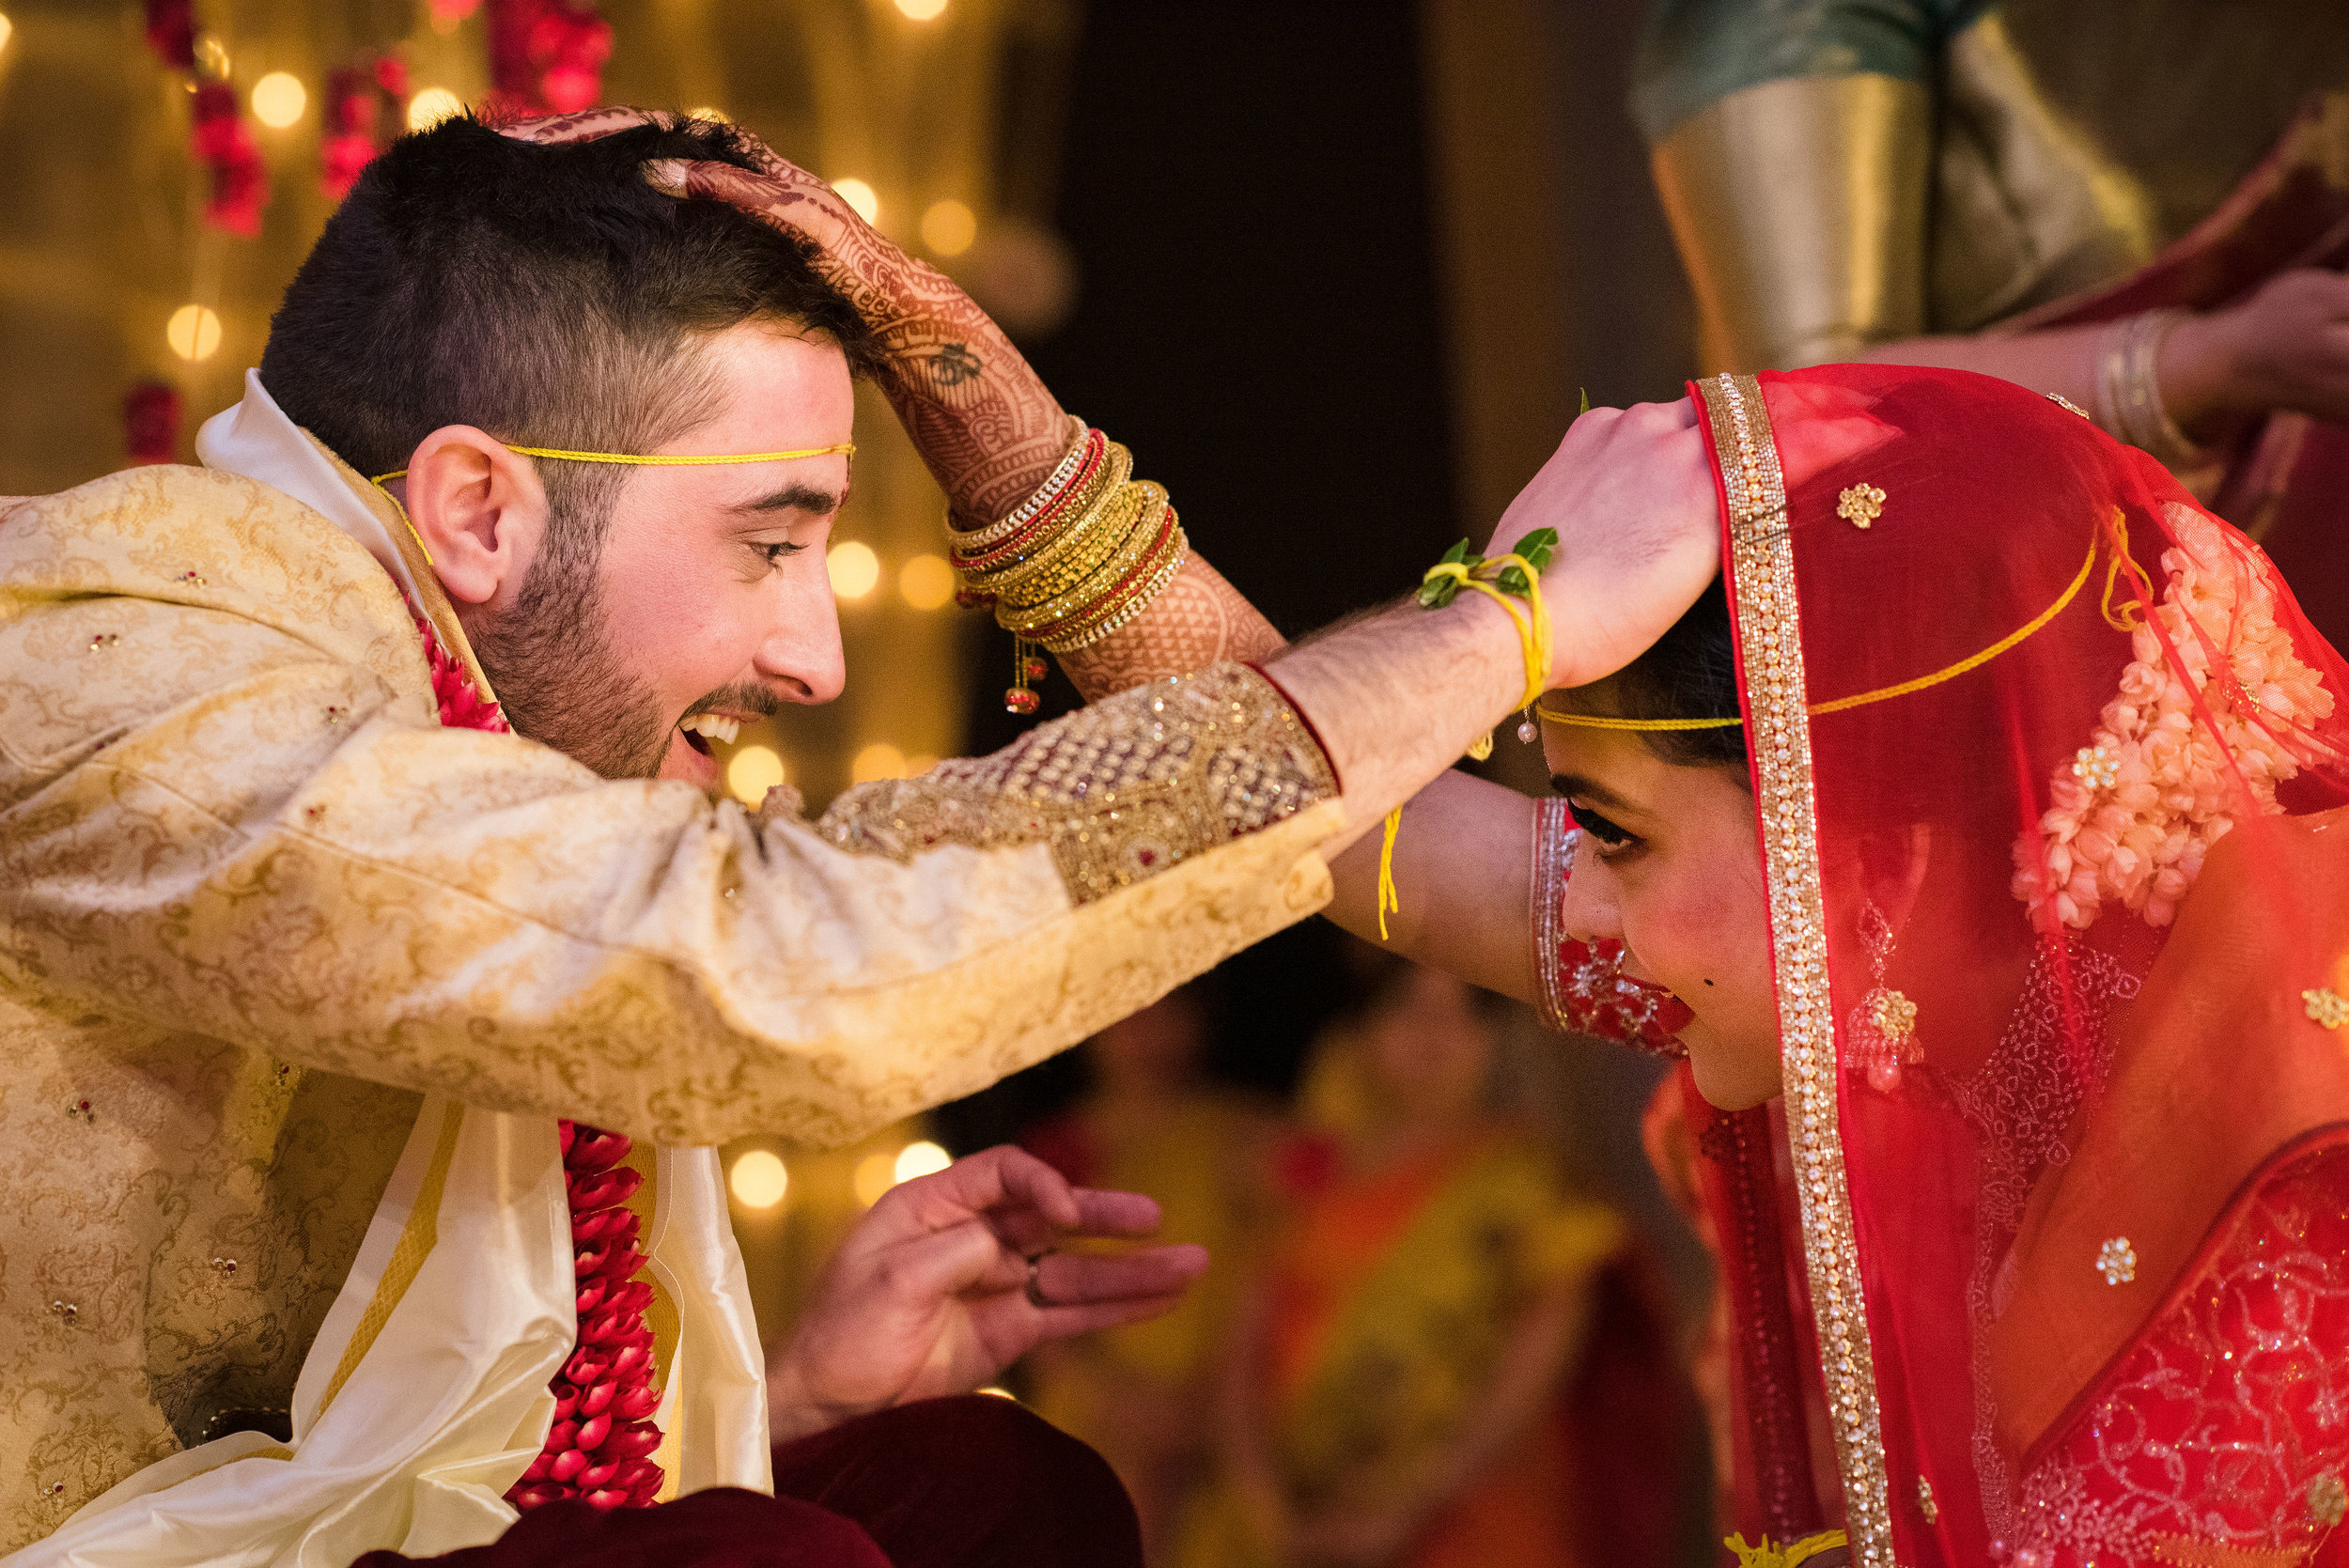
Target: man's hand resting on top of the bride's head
x=1638 y=534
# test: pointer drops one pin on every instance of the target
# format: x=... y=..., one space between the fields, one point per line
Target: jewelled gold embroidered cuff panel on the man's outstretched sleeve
x=1122 y=790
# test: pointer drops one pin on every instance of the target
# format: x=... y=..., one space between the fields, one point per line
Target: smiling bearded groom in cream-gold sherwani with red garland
x=354 y=837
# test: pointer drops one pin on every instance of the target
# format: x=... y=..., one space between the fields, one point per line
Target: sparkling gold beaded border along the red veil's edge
x=1779 y=729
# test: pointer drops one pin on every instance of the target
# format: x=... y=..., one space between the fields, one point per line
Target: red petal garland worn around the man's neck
x=605 y=1398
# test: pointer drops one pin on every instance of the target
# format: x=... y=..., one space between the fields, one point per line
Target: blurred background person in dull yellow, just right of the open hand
x=1157 y=1123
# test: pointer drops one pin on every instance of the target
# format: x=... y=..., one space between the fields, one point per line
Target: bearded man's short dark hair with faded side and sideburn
x=546 y=295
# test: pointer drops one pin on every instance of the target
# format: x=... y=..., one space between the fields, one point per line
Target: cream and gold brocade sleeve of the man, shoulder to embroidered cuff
x=227 y=806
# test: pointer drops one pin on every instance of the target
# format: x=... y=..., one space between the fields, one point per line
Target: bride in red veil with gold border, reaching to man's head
x=1979 y=844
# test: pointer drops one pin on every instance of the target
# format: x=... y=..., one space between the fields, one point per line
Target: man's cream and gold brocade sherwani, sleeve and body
x=250 y=994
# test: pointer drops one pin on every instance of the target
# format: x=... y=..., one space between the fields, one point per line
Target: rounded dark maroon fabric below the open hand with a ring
x=974 y=1482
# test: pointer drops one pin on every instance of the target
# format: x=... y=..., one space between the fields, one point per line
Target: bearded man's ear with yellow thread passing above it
x=478 y=511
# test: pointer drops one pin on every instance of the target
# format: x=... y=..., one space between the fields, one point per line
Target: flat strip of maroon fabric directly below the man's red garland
x=715 y=1529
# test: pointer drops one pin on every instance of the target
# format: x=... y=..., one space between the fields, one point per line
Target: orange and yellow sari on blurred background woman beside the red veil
x=1389 y=1302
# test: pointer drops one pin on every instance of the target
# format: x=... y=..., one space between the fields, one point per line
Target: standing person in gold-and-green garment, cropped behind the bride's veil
x=2136 y=205
